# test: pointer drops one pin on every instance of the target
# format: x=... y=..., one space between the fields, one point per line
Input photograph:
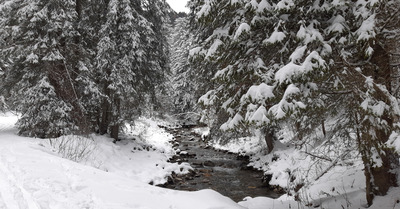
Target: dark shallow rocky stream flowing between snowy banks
x=226 y=173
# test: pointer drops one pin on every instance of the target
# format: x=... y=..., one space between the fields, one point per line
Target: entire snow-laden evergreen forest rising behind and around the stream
x=315 y=83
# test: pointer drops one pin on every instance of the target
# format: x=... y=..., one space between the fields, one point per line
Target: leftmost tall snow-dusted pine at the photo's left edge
x=42 y=44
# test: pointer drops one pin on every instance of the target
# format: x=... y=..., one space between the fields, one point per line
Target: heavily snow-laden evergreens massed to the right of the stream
x=266 y=64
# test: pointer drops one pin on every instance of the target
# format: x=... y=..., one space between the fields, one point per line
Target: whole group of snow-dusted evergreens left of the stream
x=78 y=66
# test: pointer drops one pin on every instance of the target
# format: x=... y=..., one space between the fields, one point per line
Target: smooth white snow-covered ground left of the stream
x=32 y=176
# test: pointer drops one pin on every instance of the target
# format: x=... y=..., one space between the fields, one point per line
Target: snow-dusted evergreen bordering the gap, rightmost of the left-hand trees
x=130 y=58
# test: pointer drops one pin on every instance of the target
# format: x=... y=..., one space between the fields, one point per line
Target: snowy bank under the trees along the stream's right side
x=326 y=185
